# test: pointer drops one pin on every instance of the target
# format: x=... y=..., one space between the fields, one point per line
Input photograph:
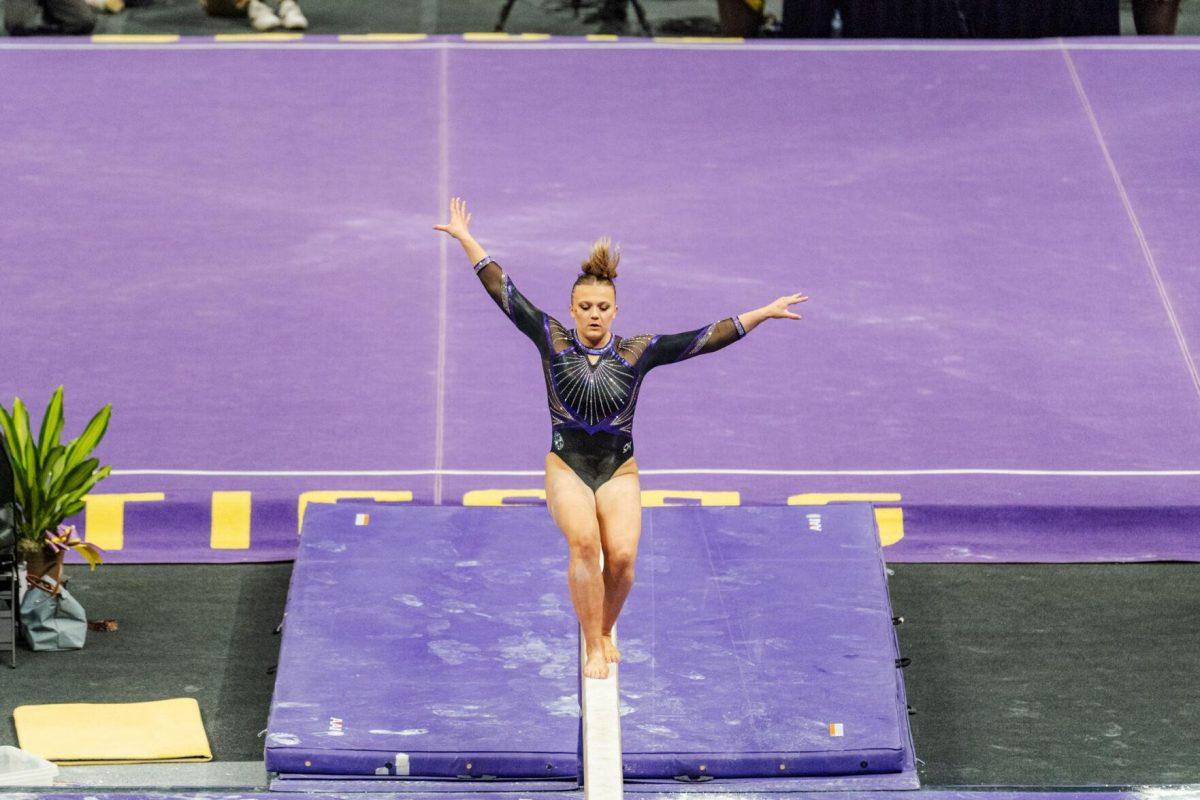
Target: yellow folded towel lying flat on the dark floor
x=115 y=733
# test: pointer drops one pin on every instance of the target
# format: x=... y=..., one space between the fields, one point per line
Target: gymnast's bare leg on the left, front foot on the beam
x=573 y=507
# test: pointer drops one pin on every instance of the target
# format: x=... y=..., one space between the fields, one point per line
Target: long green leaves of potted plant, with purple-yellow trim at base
x=50 y=483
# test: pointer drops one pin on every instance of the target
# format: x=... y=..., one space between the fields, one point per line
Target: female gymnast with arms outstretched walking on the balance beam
x=592 y=382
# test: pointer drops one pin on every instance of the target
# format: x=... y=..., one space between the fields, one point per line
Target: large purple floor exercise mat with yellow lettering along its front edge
x=1005 y=299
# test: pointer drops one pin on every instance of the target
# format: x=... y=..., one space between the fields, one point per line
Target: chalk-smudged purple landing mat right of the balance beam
x=759 y=643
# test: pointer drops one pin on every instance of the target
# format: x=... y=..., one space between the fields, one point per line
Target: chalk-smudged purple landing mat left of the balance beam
x=428 y=643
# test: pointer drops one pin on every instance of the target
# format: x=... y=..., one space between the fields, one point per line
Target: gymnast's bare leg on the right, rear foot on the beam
x=620 y=512
